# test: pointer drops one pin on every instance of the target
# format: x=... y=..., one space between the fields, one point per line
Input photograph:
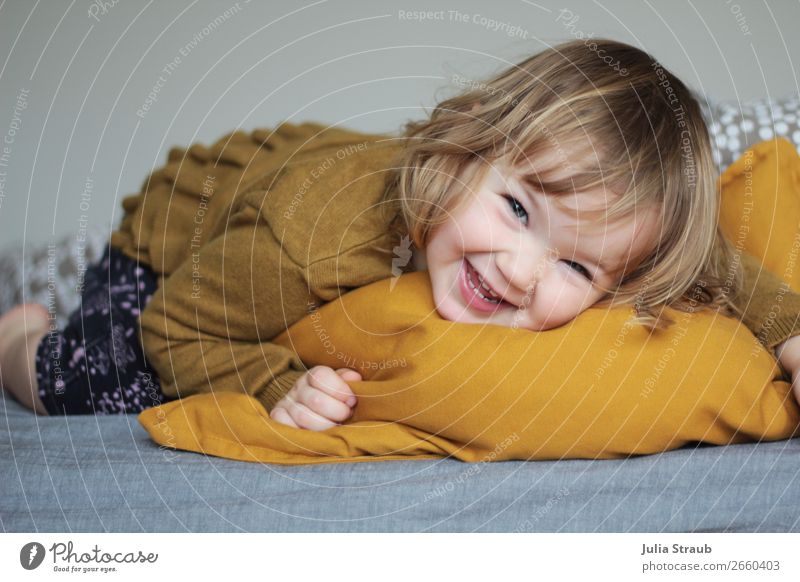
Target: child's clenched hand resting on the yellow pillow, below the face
x=319 y=399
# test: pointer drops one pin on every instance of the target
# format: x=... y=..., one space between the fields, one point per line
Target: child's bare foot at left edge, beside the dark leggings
x=21 y=330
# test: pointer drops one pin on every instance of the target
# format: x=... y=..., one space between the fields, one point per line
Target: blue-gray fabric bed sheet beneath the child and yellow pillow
x=103 y=474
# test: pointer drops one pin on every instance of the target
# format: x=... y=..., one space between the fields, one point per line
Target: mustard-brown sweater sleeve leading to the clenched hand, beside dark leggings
x=210 y=322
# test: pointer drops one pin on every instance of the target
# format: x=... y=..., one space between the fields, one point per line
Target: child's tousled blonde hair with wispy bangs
x=641 y=135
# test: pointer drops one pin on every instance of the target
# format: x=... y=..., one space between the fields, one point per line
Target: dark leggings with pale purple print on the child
x=95 y=365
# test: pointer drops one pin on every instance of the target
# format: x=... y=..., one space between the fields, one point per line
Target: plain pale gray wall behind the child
x=75 y=76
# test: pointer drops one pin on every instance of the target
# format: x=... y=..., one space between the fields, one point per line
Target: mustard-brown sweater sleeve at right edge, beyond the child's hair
x=771 y=310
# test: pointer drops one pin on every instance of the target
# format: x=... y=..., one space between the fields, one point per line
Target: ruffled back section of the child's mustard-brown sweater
x=180 y=202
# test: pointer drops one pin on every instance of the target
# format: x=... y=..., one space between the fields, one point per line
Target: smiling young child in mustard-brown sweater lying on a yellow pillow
x=561 y=184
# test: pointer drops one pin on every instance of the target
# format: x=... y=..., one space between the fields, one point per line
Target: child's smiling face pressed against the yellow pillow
x=541 y=261
